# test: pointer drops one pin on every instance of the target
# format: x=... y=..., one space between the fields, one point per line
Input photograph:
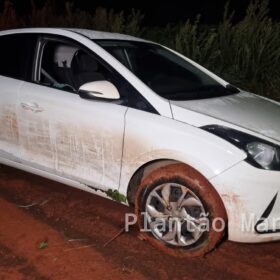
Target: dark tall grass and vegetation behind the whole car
x=246 y=54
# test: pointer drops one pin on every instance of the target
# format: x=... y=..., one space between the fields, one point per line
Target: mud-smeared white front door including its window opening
x=62 y=133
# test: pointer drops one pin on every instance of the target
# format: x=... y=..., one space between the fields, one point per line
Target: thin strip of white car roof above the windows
x=91 y=34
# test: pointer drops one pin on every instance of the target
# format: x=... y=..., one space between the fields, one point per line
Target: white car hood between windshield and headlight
x=245 y=110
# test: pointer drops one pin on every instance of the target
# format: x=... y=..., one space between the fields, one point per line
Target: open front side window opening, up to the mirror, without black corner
x=68 y=67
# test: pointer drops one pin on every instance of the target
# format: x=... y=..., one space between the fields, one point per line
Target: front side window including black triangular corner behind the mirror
x=67 y=66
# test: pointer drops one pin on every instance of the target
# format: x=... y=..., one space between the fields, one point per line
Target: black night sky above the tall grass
x=163 y=12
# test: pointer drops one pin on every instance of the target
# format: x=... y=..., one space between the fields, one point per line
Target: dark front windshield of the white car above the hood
x=166 y=73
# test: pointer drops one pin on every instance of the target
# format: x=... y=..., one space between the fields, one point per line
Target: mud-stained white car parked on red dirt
x=137 y=122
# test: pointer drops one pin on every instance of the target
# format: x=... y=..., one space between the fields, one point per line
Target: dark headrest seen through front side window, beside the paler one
x=83 y=62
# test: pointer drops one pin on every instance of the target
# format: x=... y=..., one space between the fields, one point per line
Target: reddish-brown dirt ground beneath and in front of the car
x=76 y=225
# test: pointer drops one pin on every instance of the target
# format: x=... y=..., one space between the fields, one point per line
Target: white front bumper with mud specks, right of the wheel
x=252 y=202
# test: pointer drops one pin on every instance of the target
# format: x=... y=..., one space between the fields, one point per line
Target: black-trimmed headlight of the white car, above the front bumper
x=260 y=153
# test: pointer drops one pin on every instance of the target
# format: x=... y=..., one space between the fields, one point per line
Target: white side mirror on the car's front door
x=99 y=90
